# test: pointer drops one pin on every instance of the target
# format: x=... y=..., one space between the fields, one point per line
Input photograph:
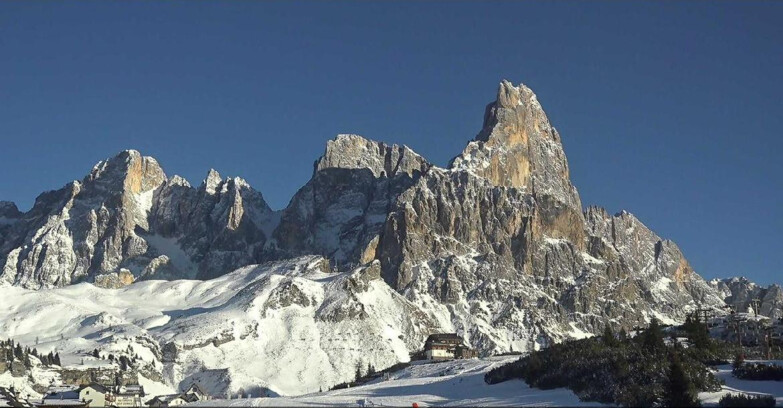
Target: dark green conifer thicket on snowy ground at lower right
x=638 y=370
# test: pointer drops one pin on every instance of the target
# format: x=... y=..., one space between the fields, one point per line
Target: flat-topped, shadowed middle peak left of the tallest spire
x=341 y=211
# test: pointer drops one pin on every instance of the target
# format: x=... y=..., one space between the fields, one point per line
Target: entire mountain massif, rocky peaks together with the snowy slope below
x=496 y=246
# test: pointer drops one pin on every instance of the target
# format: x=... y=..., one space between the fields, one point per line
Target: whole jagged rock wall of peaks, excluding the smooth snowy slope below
x=496 y=246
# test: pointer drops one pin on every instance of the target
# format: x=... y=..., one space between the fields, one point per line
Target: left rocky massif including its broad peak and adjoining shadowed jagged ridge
x=126 y=215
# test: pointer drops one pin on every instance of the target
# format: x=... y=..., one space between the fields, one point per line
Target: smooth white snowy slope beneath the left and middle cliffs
x=290 y=327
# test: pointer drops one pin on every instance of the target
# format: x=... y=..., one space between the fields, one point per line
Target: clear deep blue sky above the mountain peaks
x=672 y=111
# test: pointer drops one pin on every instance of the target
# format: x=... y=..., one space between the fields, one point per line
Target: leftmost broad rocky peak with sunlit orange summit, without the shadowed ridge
x=86 y=228
